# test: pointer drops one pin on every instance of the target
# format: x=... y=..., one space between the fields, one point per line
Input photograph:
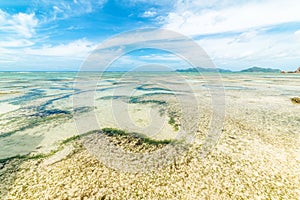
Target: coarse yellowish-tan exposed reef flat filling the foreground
x=241 y=167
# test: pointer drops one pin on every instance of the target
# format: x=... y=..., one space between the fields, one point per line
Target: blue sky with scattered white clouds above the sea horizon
x=42 y=35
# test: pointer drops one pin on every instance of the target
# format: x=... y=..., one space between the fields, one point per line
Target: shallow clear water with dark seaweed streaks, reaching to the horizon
x=37 y=110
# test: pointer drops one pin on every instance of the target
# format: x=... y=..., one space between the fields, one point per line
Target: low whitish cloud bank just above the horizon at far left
x=68 y=56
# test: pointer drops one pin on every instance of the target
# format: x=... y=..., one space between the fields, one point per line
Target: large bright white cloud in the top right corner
x=191 y=21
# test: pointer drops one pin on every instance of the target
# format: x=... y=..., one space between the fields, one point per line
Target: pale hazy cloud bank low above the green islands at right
x=276 y=50
